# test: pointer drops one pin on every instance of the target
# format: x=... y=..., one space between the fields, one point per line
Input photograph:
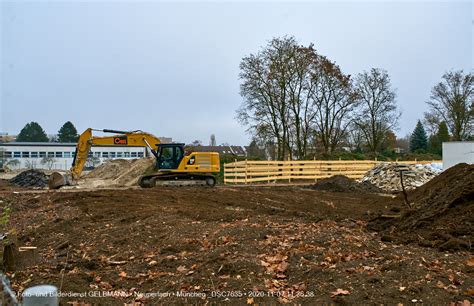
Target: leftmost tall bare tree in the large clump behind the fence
x=265 y=90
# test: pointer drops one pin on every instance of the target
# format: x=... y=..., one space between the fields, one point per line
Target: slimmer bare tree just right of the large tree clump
x=378 y=112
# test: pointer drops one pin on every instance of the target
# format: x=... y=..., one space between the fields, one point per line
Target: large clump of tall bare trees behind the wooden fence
x=293 y=95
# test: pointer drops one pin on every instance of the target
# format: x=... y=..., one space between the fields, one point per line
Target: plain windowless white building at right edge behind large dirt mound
x=455 y=152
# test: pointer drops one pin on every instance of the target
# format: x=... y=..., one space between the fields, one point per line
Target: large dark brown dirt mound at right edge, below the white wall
x=442 y=214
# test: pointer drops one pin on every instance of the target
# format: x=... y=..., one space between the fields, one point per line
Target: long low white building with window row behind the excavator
x=54 y=155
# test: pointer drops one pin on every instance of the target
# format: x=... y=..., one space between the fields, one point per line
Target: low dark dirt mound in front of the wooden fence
x=341 y=183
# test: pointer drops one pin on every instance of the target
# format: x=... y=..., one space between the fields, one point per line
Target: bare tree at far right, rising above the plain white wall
x=452 y=101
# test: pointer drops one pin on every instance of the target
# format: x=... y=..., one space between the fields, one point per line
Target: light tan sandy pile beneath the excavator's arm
x=121 y=172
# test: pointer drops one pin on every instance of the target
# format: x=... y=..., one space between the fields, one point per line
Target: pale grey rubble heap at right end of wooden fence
x=386 y=176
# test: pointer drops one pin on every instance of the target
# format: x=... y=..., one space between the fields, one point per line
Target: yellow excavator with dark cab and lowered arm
x=172 y=163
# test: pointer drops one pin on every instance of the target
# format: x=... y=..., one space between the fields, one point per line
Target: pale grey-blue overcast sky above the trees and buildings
x=172 y=68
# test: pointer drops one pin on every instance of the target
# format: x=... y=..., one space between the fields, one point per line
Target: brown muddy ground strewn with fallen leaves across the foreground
x=235 y=244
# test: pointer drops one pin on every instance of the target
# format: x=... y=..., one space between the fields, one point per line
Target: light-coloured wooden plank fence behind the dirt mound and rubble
x=250 y=171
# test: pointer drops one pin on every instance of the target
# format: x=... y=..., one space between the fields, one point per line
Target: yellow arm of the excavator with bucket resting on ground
x=87 y=140
